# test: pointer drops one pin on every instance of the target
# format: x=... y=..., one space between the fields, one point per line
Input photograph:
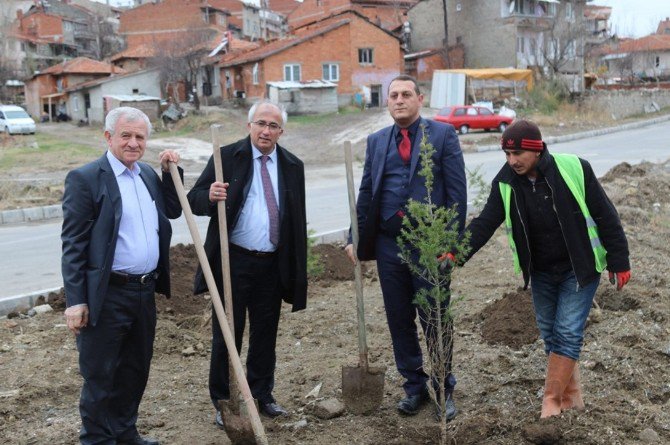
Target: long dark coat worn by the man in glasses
x=292 y=249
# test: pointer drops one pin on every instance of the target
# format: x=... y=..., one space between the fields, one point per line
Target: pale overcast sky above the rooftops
x=630 y=18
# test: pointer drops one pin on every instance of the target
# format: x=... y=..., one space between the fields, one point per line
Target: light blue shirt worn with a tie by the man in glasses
x=252 y=230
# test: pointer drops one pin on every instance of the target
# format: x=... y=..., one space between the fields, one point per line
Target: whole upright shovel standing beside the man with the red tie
x=362 y=385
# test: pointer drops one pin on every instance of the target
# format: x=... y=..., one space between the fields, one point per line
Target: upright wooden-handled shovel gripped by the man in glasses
x=235 y=421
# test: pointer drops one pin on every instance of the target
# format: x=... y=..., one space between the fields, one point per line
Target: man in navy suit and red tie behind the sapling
x=390 y=179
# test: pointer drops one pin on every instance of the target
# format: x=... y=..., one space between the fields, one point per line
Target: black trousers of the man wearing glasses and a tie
x=255 y=284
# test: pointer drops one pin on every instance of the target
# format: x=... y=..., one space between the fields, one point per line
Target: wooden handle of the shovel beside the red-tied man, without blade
x=360 y=306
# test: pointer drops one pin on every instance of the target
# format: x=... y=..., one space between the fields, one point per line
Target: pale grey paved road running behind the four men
x=31 y=253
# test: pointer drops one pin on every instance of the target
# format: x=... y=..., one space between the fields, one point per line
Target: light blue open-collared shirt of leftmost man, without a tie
x=137 y=244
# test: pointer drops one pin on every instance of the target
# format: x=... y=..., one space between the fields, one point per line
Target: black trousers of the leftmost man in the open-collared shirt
x=114 y=360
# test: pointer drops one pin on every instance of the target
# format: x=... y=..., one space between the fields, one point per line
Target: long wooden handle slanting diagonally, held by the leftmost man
x=233 y=356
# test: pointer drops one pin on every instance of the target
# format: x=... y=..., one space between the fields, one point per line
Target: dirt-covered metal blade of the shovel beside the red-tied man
x=363 y=388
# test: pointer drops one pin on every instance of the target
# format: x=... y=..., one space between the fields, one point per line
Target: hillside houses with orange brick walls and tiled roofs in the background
x=74 y=59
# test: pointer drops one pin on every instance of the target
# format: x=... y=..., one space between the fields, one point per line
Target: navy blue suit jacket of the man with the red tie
x=449 y=186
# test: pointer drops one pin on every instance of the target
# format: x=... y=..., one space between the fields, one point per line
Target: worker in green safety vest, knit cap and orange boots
x=563 y=232
